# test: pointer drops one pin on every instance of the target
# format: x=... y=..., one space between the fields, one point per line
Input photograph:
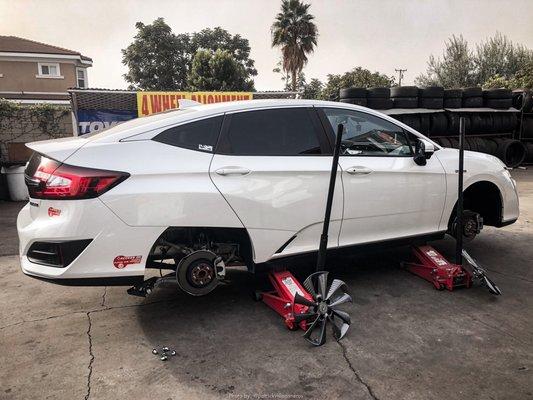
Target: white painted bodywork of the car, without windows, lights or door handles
x=279 y=198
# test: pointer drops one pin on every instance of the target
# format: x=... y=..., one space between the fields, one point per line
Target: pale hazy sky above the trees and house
x=380 y=35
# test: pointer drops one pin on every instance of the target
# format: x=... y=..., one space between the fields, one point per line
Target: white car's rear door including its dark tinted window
x=271 y=167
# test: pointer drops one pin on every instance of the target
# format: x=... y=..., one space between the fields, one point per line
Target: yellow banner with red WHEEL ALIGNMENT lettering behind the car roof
x=153 y=102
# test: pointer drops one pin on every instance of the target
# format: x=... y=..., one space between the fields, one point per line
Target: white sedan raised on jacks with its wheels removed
x=242 y=183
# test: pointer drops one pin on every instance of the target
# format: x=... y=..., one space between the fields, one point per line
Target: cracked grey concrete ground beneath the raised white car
x=407 y=340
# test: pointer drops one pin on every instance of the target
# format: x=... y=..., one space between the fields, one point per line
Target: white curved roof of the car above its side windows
x=144 y=125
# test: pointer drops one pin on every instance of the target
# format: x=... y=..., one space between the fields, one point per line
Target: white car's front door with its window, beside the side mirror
x=386 y=195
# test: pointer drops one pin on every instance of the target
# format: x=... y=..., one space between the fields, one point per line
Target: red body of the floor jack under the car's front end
x=436 y=269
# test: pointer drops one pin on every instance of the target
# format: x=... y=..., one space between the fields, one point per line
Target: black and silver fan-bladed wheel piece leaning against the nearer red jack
x=323 y=308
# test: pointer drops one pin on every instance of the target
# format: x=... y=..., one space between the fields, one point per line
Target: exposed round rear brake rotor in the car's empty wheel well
x=197 y=273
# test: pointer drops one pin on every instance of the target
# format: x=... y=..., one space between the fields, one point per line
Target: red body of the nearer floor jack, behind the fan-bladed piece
x=281 y=299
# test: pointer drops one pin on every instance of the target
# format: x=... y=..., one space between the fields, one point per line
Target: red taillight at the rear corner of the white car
x=49 y=179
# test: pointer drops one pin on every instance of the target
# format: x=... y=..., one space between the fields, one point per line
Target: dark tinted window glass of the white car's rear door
x=279 y=132
